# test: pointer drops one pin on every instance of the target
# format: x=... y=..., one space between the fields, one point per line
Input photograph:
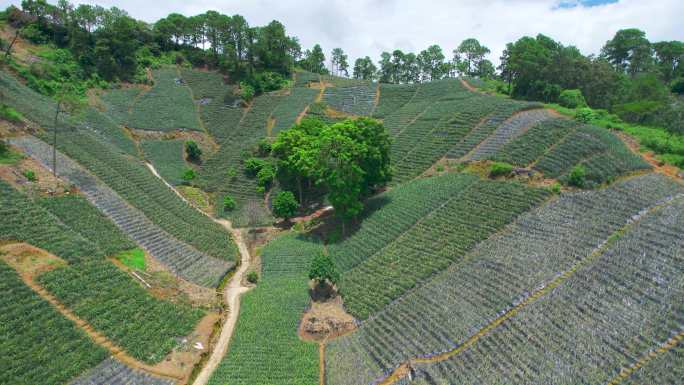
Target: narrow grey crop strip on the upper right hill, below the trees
x=513 y=127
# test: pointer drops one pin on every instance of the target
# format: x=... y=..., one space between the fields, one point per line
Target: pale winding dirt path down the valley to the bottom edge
x=231 y=294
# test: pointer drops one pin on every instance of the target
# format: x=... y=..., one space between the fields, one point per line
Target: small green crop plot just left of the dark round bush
x=167 y=158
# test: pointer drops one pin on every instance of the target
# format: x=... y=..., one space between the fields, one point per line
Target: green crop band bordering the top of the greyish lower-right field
x=441 y=238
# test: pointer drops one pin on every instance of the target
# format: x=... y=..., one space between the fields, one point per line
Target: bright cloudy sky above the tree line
x=369 y=27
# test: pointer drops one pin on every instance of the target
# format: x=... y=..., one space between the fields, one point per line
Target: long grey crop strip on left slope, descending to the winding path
x=178 y=256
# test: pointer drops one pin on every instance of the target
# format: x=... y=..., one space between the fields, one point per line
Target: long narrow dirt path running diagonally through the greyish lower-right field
x=403 y=368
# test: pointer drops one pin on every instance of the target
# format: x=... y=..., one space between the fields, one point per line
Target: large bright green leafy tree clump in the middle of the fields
x=350 y=159
